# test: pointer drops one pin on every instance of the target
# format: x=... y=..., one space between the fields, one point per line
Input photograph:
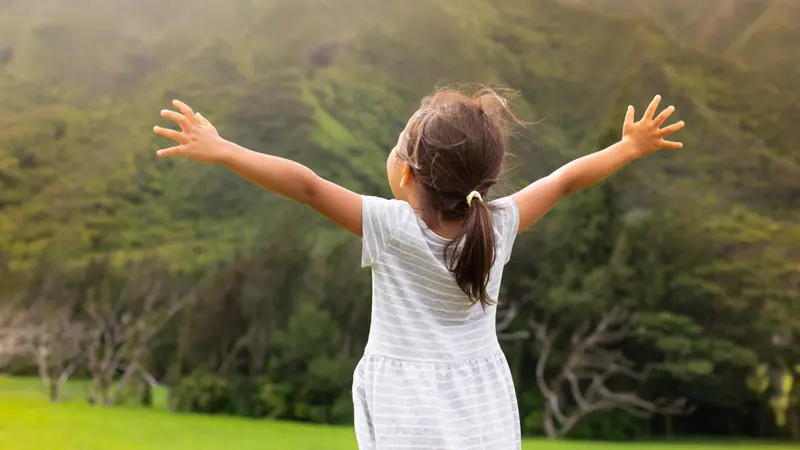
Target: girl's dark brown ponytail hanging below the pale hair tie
x=475 y=255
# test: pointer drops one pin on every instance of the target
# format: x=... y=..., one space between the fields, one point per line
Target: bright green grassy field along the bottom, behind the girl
x=29 y=422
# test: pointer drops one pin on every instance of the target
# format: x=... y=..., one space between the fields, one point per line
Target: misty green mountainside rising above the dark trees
x=331 y=83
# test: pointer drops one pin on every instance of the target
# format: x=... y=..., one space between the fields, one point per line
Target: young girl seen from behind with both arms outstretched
x=433 y=375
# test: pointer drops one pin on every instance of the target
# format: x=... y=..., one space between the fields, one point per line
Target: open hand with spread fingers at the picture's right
x=646 y=136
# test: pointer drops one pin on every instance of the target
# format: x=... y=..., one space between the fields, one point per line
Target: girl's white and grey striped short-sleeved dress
x=433 y=375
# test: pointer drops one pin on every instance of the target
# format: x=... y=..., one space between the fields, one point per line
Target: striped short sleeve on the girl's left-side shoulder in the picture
x=379 y=220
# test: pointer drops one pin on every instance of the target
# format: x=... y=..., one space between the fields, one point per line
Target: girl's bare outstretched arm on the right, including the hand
x=638 y=139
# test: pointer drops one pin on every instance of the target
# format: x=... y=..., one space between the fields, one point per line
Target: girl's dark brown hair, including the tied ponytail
x=456 y=144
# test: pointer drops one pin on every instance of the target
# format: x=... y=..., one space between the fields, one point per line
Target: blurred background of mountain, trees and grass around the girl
x=157 y=303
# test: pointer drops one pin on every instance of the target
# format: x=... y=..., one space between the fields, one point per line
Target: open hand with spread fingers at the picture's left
x=198 y=138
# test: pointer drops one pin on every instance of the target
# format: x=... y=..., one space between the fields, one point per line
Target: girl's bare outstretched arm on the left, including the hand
x=199 y=140
